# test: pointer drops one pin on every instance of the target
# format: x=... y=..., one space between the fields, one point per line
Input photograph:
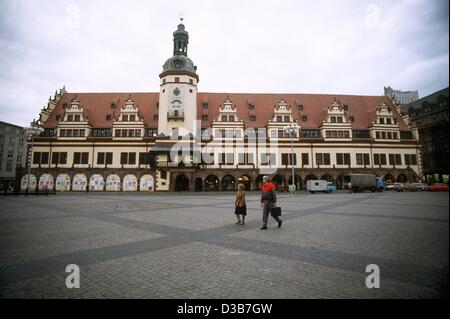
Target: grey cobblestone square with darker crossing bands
x=186 y=245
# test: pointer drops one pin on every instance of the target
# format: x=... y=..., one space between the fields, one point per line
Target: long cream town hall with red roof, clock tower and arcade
x=180 y=139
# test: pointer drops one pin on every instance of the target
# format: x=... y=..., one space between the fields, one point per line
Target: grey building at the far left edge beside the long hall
x=12 y=152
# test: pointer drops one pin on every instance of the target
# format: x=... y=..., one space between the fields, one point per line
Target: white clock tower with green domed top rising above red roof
x=178 y=89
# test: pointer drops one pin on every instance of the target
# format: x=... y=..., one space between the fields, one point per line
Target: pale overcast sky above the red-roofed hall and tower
x=278 y=46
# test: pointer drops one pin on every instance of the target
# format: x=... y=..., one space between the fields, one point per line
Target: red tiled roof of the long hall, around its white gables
x=315 y=106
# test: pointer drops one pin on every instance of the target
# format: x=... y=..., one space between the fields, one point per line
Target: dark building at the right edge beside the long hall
x=430 y=117
